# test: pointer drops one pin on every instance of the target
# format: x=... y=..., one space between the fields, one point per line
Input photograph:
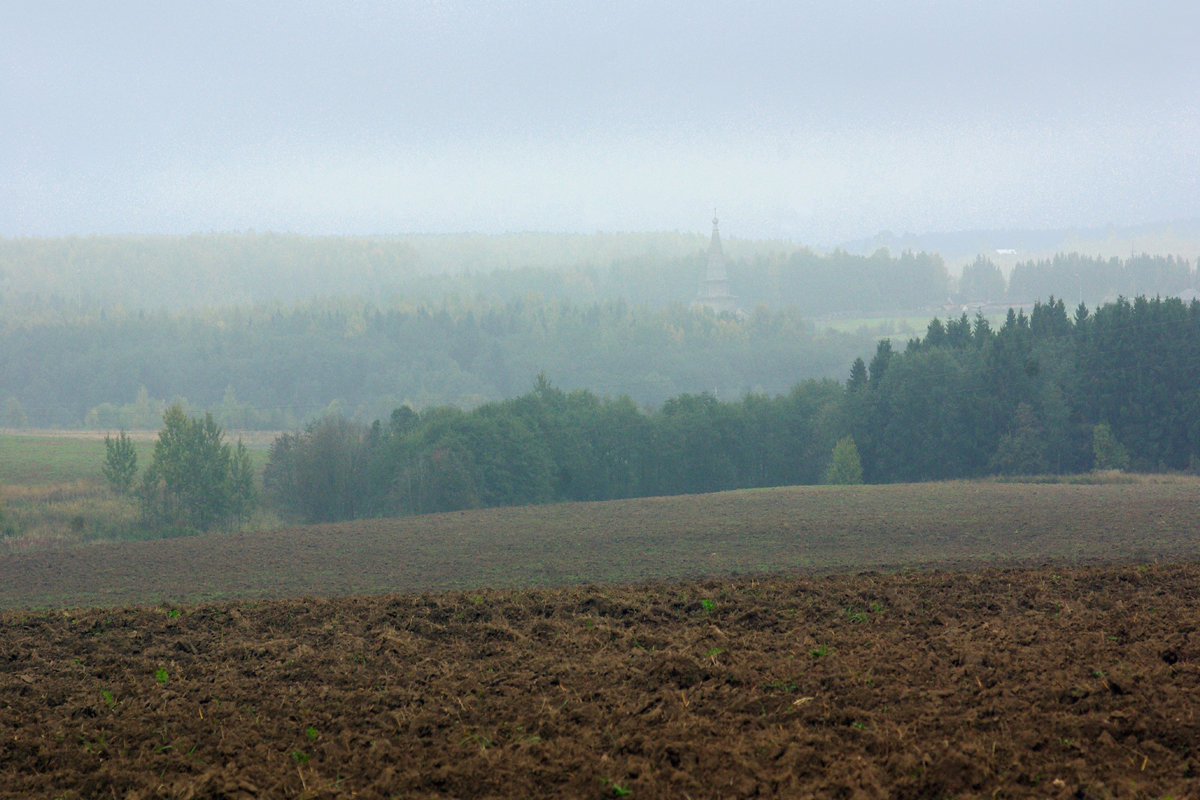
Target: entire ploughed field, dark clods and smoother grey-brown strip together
x=1063 y=681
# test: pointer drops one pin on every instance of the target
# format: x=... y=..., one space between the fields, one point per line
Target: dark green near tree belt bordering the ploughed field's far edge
x=1047 y=393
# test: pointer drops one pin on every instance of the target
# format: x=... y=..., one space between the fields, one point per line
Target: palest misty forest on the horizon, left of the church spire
x=220 y=270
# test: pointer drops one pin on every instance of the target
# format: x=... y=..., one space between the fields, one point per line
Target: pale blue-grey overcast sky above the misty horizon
x=812 y=122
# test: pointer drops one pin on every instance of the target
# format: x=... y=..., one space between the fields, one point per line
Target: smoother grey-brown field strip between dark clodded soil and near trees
x=782 y=531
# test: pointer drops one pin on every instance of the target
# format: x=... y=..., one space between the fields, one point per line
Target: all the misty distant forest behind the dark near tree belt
x=274 y=332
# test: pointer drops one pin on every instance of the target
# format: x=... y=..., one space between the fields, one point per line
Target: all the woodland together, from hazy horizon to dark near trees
x=417 y=384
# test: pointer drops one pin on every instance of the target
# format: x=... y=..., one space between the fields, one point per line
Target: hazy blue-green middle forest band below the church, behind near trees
x=278 y=368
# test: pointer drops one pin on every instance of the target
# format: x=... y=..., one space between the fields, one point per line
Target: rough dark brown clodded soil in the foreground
x=1047 y=683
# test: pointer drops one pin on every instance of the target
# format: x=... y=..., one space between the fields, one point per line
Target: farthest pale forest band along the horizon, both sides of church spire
x=43 y=279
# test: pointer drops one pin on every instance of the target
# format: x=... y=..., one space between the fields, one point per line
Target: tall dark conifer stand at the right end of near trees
x=967 y=401
